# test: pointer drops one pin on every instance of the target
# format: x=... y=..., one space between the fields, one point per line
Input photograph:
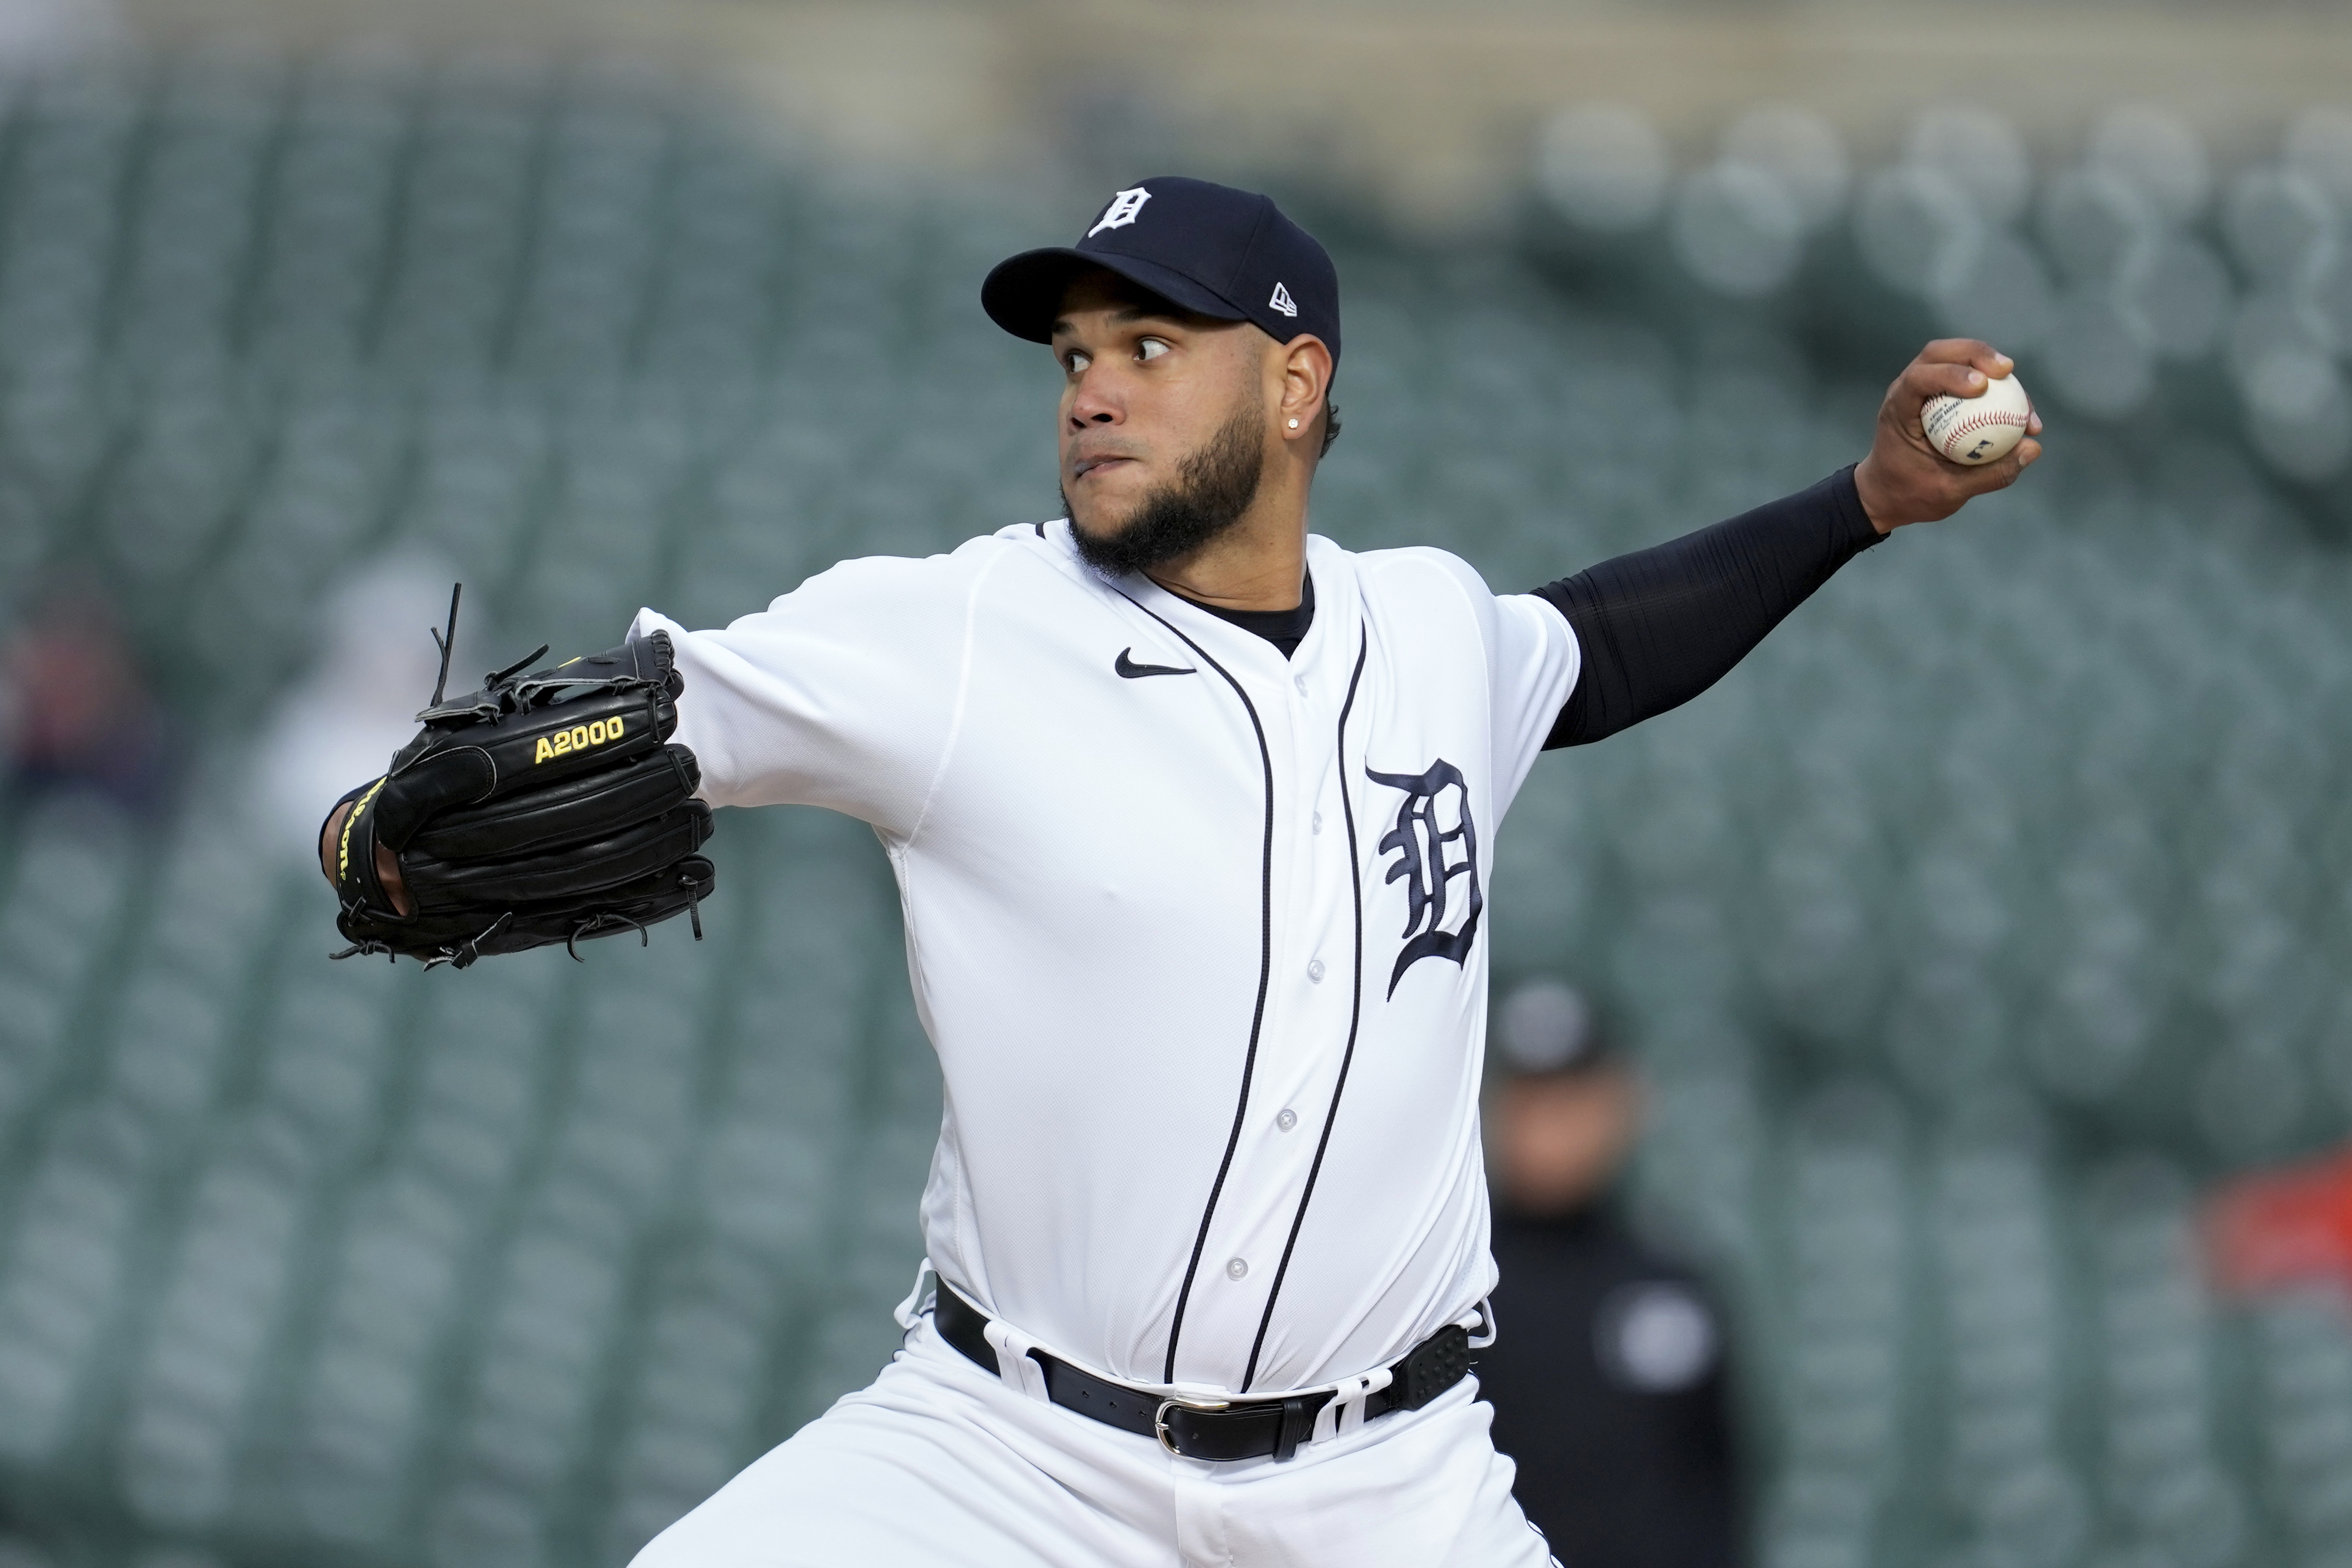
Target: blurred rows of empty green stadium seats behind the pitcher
x=1965 y=932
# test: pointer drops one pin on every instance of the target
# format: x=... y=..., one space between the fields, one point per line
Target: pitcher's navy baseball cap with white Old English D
x=1215 y=250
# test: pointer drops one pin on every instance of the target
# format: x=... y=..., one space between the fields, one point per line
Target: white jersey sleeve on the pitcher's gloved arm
x=838 y=695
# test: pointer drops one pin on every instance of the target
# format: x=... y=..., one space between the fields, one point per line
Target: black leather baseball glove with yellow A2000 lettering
x=542 y=810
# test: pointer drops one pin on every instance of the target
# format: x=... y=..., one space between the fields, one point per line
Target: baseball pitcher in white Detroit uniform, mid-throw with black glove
x=1194 y=822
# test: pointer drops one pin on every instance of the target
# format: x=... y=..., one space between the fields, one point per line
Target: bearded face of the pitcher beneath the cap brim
x=1163 y=422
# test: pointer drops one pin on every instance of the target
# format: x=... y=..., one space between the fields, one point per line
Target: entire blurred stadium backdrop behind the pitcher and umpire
x=1967 y=939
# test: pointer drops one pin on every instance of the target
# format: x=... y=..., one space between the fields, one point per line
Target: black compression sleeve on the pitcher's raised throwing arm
x=1662 y=626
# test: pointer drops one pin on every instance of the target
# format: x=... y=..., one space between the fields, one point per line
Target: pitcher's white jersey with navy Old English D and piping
x=1198 y=932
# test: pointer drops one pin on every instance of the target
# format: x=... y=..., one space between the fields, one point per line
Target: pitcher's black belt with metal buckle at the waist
x=1208 y=1428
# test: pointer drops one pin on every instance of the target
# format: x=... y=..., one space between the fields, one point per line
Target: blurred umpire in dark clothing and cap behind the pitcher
x=1610 y=1388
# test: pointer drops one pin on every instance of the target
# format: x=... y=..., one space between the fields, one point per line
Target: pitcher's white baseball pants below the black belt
x=942 y=1463
